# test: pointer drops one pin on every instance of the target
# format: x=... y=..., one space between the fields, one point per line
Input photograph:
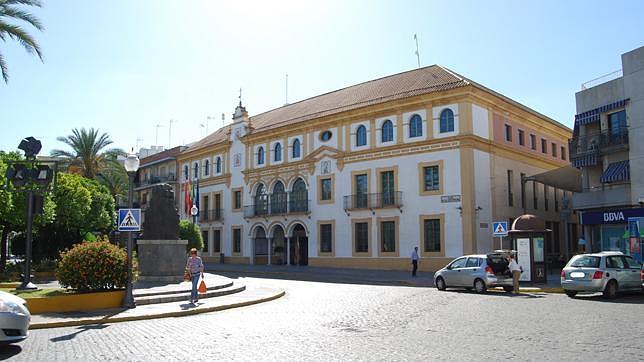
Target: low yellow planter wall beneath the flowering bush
x=75 y=302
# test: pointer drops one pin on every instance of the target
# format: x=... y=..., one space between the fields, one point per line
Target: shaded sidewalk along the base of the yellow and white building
x=351 y=276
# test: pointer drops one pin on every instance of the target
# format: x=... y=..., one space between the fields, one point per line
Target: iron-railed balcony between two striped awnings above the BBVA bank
x=597 y=143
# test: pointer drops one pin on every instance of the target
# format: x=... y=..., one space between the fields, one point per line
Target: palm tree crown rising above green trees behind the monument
x=87 y=154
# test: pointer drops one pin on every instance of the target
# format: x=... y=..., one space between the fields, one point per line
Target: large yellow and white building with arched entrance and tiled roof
x=360 y=176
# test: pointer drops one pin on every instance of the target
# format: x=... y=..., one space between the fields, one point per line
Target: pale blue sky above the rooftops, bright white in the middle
x=129 y=67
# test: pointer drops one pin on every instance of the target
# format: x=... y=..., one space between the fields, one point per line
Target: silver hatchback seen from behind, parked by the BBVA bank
x=609 y=272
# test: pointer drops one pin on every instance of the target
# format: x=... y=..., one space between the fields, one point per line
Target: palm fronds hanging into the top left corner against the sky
x=10 y=10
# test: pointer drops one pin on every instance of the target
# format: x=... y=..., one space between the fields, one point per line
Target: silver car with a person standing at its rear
x=481 y=271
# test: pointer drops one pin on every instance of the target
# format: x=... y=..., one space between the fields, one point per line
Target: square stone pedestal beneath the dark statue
x=162 y=260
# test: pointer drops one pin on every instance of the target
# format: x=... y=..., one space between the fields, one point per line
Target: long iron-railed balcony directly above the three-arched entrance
x=275 y=205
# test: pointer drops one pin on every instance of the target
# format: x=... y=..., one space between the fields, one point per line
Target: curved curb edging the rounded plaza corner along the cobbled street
x=81 y=322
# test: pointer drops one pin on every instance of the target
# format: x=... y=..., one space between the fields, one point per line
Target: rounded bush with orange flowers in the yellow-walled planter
x=92 y=266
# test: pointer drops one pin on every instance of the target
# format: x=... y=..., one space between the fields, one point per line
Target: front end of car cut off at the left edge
x=14 y=318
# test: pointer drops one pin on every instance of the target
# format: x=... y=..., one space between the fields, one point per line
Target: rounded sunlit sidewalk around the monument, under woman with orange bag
x=244 y=295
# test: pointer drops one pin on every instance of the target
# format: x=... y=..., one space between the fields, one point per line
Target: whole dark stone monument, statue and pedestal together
x=162 y=256
